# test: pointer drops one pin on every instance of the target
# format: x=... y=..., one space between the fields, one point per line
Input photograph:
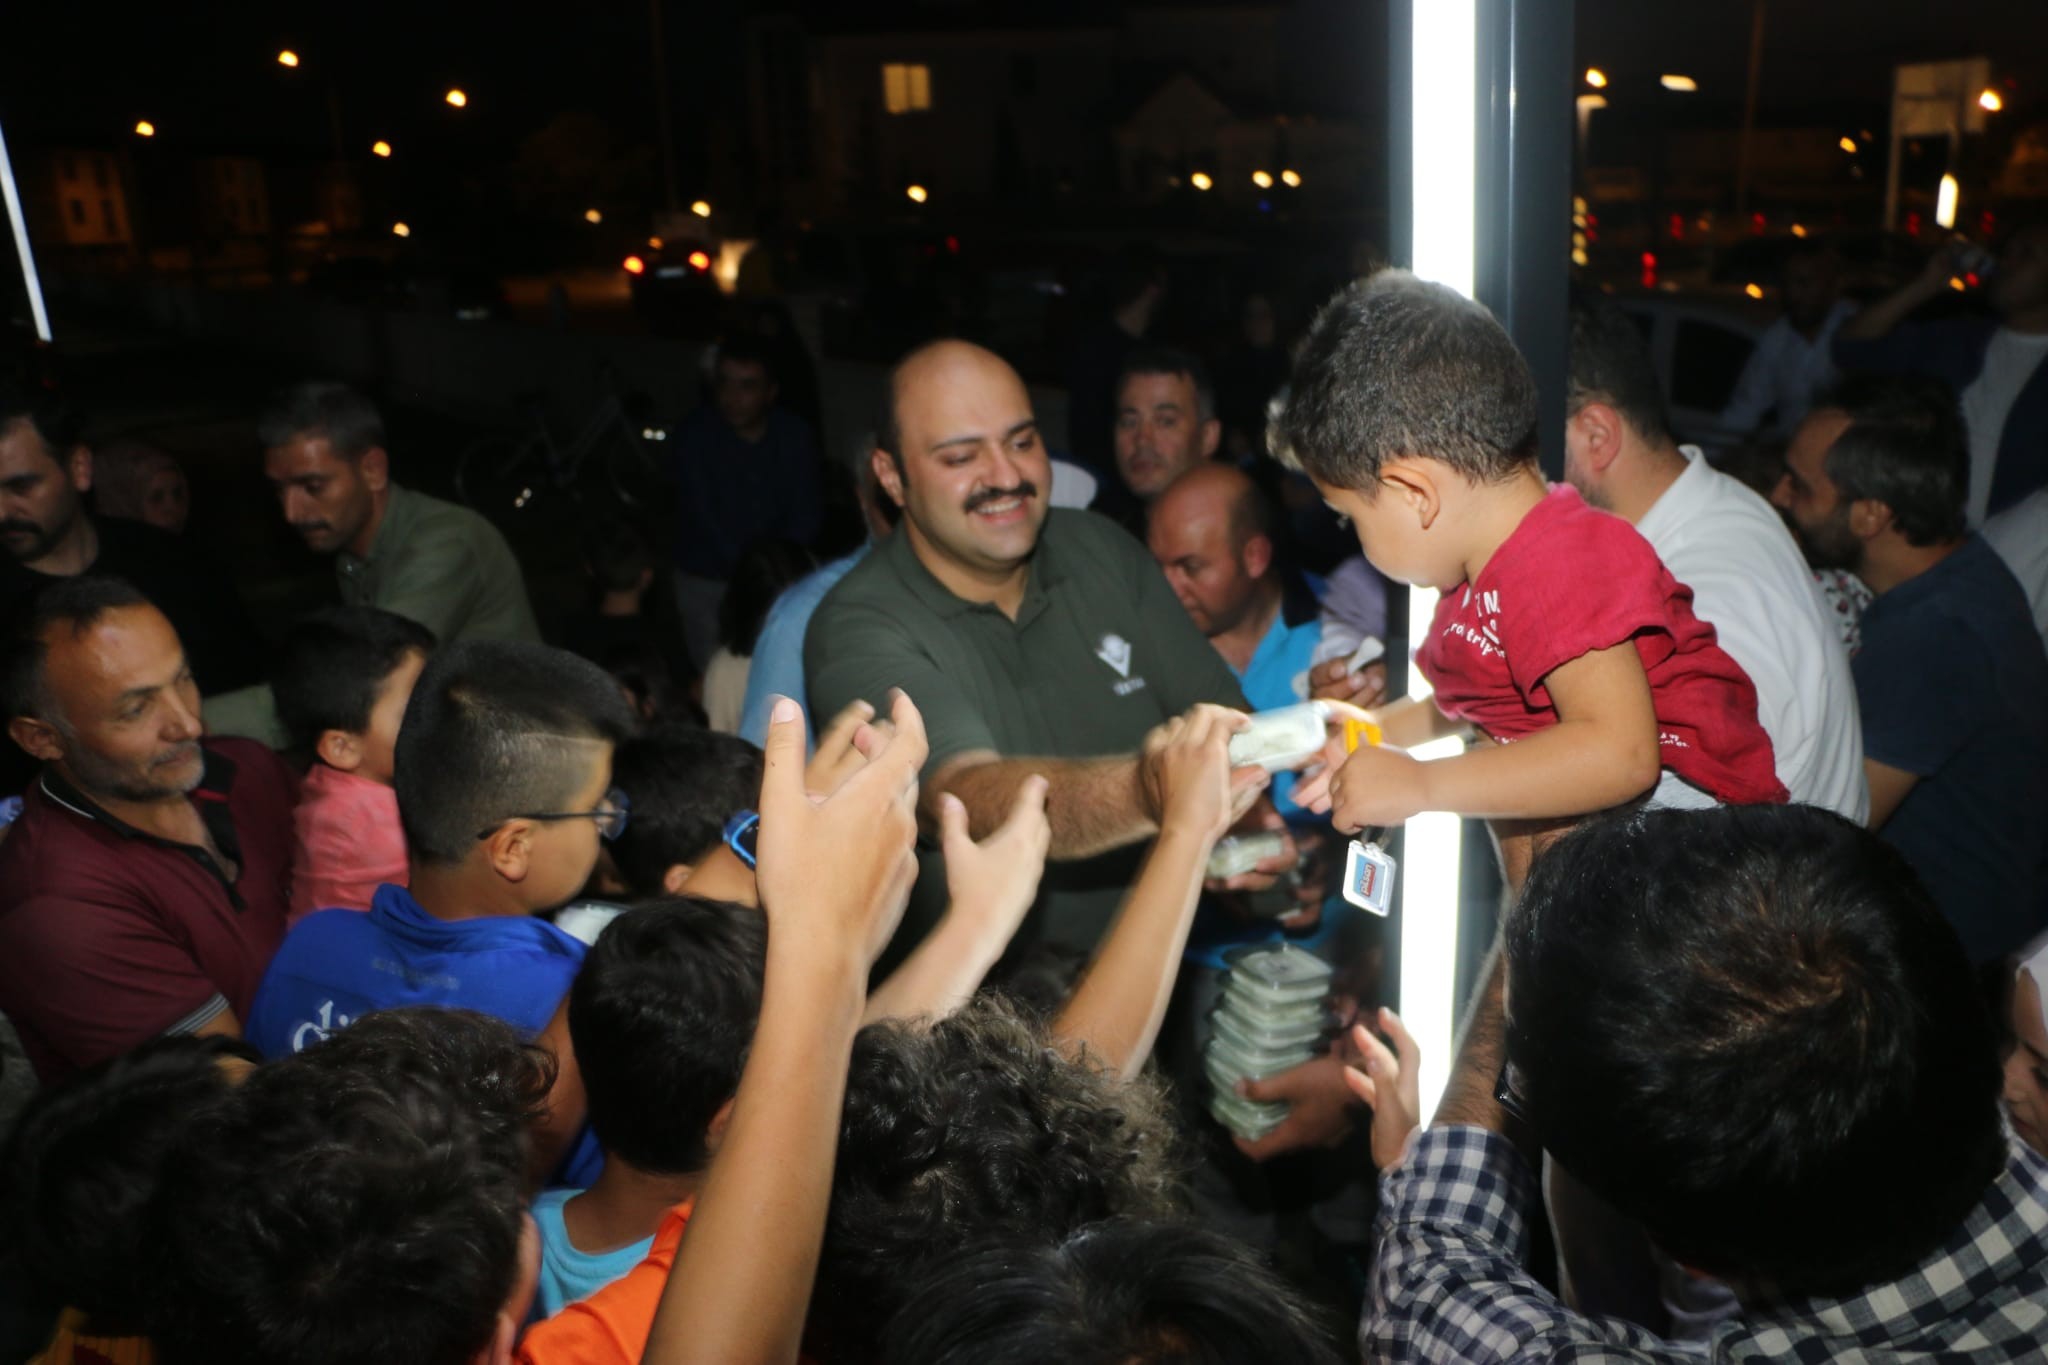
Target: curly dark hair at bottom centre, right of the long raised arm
x=966 y=1133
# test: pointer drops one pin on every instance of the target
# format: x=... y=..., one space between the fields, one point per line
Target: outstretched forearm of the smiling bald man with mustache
x=1095 y=805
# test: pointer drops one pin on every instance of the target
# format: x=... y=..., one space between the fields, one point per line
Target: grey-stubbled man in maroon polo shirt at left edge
x=144 y=887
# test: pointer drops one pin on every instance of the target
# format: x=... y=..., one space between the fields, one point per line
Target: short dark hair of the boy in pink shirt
x=335 y=664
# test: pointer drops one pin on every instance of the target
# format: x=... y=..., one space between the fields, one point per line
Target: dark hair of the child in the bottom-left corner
x=83 y=1163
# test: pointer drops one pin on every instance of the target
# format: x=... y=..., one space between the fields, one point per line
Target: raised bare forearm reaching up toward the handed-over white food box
x=1121 y=1000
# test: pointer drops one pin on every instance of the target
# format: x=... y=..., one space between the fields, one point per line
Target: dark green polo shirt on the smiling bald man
x=1099 y=656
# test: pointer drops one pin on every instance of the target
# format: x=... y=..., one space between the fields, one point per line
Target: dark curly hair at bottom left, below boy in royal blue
x=361 y=1200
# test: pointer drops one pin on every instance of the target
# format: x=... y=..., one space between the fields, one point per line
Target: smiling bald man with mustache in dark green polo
x=1019 y=629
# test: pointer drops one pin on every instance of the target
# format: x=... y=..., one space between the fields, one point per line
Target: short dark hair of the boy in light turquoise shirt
x=663 y=1018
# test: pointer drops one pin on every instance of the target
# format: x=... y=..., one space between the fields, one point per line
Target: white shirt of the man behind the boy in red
x=1752 y=584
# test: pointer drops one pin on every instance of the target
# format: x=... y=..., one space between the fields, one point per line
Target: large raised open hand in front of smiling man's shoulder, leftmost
x=837 y=871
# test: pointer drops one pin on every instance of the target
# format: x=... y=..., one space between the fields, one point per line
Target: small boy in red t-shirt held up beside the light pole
x=1560 y=635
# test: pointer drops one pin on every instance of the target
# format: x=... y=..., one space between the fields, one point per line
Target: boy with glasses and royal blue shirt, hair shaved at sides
x=505 y=789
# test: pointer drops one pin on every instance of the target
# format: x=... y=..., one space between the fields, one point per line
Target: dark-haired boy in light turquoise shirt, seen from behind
x=660 y=1018
